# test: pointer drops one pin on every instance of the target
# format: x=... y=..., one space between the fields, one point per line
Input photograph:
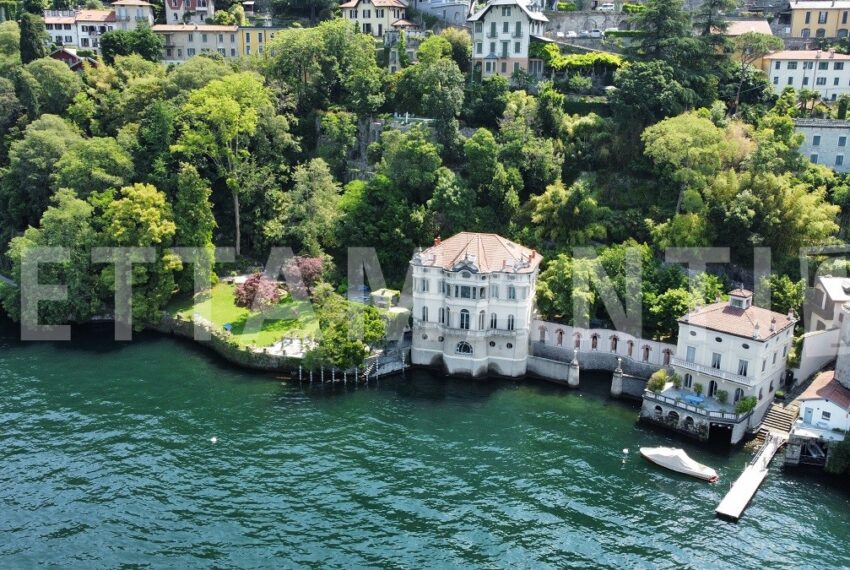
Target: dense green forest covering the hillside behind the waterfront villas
x=682 y=145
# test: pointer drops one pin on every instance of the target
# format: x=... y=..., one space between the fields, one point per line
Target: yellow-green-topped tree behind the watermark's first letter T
x=142 y=217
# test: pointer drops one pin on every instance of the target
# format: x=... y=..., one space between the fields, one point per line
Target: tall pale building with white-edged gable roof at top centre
x=501 y=38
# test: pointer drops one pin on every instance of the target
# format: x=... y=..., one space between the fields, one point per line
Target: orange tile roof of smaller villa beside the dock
x=723 y=317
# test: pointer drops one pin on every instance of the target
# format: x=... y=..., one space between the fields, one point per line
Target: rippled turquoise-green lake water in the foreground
x=107 y=461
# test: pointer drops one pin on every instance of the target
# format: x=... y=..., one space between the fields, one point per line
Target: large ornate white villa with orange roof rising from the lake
x=473 y=298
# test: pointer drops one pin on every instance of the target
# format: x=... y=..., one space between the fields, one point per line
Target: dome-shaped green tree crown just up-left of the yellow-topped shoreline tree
x=93 y=165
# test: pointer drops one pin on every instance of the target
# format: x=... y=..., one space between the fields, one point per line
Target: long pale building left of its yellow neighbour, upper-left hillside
x=182 y=41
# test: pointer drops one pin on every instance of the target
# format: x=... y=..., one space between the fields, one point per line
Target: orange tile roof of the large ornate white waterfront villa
x=486 y=253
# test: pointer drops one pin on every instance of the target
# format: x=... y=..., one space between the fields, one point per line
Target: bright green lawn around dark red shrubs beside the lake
x=290 y=317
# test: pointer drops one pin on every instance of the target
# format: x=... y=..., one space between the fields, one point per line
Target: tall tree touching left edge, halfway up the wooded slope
x=26 y=187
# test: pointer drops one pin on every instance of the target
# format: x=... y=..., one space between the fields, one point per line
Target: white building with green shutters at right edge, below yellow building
x=826 y=72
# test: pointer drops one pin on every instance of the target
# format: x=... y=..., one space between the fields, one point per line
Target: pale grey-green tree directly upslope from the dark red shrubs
x=312 y=208
